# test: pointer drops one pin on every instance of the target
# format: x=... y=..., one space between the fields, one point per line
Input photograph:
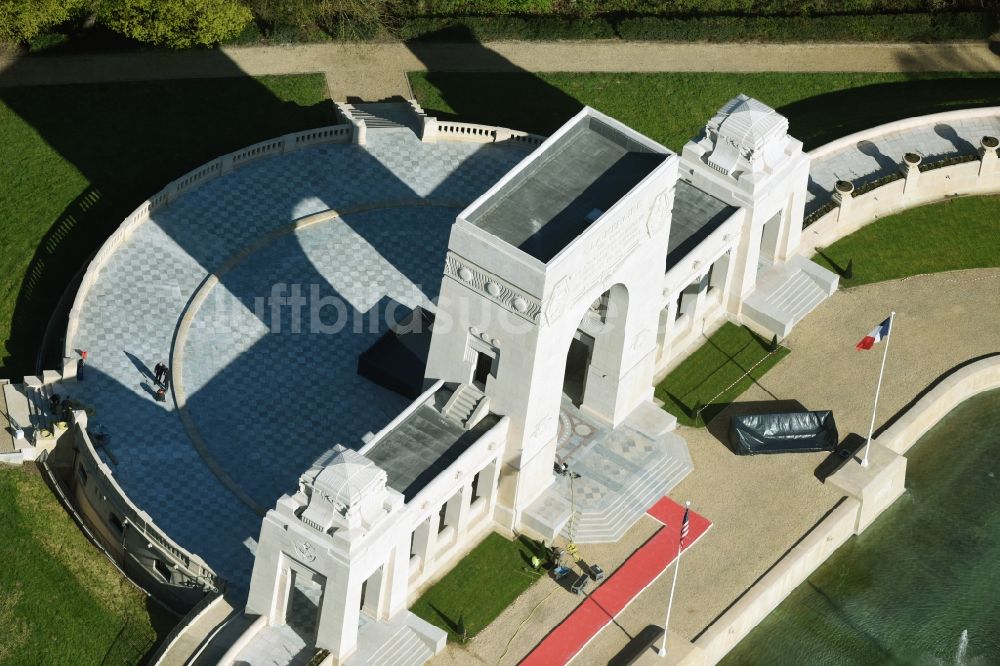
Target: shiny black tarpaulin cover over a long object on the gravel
x=783 y=433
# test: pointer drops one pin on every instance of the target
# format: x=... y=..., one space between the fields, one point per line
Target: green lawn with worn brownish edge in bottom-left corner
x=61 y=601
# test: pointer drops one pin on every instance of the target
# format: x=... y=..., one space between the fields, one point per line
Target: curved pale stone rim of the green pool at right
x=954 y=389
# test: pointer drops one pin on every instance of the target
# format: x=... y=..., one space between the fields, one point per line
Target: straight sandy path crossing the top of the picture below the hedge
x=375 y=71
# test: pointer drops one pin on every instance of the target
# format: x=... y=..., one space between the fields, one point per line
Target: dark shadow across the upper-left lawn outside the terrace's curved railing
x=127 y=140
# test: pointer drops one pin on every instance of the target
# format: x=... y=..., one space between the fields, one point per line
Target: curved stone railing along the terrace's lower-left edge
x=113 y=493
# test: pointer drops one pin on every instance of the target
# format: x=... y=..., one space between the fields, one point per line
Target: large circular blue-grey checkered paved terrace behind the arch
x=261 y=392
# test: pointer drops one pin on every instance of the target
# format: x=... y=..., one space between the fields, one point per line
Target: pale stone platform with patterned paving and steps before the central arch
x=615 y=474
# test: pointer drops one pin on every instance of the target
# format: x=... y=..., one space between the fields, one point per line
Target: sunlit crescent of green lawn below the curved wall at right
x=952 y=235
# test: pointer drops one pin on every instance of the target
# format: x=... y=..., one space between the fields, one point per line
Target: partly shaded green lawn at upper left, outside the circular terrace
x=78 y=159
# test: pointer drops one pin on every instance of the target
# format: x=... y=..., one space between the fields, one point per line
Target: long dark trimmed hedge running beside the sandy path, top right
x=921 y=27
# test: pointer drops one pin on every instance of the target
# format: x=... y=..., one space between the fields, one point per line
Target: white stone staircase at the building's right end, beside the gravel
x=786 y=293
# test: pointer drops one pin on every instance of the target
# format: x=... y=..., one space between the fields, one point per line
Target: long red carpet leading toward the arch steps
x=642 y=568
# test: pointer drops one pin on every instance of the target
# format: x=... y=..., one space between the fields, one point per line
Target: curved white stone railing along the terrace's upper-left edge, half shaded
x=217 y=167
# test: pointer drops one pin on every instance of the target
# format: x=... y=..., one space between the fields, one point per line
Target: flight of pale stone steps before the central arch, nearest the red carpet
x=608 y=520
